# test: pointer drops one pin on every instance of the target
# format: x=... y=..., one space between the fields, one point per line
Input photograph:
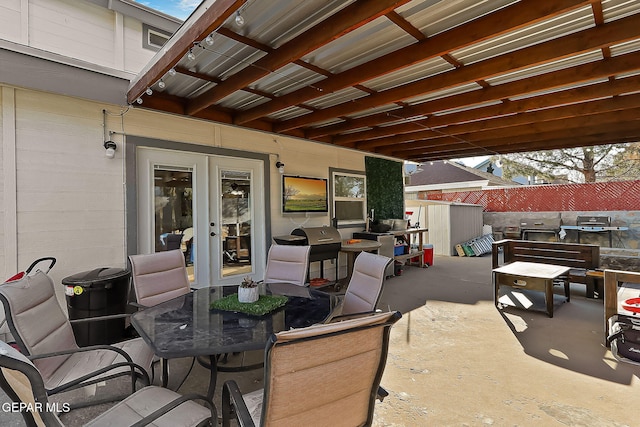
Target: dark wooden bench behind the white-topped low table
x=579 y=257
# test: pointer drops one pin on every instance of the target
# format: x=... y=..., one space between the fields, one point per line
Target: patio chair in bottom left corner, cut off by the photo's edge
x=23 y=383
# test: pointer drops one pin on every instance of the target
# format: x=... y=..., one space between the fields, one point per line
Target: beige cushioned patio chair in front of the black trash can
x=44 y=334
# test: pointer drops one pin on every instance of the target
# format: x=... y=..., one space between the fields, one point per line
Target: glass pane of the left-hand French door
x=173 y=207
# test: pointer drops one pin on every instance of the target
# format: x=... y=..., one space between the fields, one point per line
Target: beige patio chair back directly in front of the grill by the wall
x=287 y=264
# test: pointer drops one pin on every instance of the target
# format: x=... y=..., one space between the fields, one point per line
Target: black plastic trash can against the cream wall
x=100 y=292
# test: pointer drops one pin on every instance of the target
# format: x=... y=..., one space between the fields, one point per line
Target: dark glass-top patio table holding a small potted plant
x=186 y=326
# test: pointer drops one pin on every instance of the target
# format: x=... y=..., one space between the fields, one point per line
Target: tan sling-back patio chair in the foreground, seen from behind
x=322 y=375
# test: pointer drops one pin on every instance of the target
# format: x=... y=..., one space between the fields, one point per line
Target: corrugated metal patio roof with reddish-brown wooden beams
x=416 y=80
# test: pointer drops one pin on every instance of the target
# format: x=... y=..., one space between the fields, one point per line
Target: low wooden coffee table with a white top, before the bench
x=529 y=276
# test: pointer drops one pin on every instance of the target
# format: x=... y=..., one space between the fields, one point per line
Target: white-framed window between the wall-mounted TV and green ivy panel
x=349 y=198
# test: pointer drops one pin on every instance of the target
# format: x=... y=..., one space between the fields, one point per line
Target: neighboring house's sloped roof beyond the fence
x=447 y=172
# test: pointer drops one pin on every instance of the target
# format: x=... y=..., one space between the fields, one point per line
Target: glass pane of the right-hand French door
x=236 y=223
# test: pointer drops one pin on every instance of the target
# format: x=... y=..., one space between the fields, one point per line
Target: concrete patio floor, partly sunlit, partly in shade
x=454 y=360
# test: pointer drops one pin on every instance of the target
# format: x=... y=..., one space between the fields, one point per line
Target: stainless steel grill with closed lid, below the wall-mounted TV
x=325 y=243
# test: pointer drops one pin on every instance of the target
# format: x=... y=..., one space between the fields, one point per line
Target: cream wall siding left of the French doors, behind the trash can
x=70 y=196
